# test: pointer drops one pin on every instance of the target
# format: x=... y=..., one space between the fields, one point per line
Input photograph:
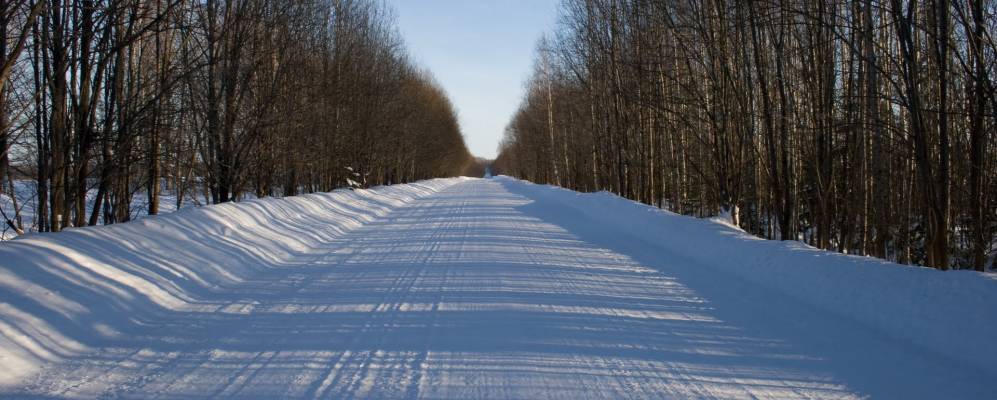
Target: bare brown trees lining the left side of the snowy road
x=105 y=99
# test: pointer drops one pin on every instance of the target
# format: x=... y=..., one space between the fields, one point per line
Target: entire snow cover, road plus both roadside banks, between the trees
x=476 y=288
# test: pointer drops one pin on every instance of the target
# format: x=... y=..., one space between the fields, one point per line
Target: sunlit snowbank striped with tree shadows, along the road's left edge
x=64 y=294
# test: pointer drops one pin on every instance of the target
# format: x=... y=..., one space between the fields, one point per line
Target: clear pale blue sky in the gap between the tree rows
x=481 y=51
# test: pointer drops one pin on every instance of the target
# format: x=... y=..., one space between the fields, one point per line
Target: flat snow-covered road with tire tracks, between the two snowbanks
x=484 y=289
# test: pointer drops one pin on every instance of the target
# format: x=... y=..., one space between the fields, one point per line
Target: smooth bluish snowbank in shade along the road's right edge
x=950 y=313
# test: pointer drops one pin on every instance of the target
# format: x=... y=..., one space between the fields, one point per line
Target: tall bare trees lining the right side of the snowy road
x=862 y=126
